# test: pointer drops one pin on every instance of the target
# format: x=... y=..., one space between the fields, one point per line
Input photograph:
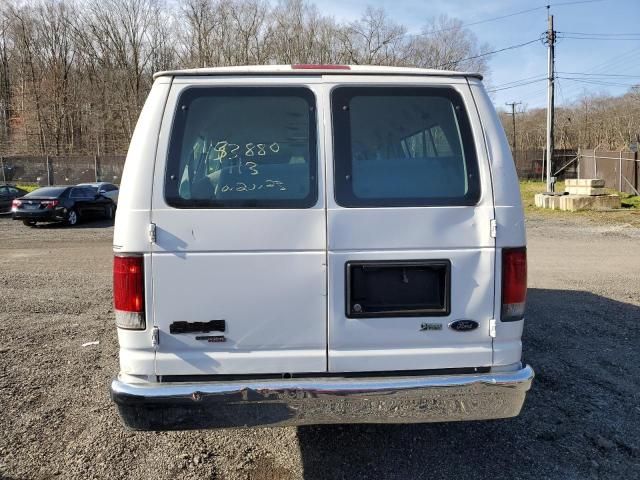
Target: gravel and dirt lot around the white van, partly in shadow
x=581 y=420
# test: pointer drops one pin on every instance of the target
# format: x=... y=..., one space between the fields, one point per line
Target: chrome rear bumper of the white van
x=253 y=403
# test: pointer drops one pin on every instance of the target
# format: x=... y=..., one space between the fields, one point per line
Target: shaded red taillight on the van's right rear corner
x=514 y=283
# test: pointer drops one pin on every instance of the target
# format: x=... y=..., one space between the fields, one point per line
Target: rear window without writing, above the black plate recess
x=402 y=146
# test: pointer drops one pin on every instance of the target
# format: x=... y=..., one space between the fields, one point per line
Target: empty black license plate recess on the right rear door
x=412 y=288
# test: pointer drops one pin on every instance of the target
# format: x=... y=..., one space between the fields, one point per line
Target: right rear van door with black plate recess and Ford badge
x=411 y=255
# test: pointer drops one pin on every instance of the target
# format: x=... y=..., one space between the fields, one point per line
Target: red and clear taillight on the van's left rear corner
x=128 y=291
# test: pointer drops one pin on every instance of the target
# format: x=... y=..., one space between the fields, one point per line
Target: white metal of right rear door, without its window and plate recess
x=460 y=235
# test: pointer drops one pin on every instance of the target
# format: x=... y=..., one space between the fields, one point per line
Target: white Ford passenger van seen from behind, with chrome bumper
x=318 y=244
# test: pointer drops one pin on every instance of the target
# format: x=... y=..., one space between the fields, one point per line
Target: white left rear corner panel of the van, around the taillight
x=137 y=355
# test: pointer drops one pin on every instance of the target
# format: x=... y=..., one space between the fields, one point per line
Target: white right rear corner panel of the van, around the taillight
x=509 y=218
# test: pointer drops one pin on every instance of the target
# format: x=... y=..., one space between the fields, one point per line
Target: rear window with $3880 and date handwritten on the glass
x=243 y=147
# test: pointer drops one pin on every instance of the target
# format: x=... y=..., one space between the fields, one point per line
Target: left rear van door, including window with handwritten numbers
x=239 y=260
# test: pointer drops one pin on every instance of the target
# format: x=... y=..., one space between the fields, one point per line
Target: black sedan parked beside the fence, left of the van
x=67 y=204
